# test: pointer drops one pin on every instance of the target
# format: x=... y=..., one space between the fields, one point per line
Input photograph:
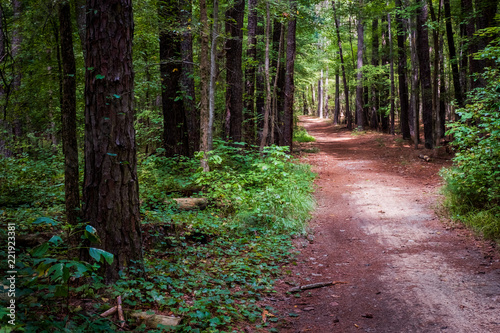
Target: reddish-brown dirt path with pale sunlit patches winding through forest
x=376 y=230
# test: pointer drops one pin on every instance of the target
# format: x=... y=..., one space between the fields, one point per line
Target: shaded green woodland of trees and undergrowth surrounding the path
x=109 y=109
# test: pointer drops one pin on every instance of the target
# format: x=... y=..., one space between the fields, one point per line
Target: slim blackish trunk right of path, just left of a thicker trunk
x=403 y=87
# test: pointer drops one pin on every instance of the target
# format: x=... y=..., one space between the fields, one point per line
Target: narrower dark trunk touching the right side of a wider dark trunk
x=187 y=79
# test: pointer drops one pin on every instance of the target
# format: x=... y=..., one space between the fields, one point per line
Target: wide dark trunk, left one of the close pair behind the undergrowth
x=175 y=139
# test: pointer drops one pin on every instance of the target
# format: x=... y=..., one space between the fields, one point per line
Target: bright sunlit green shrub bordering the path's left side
x=268 y=190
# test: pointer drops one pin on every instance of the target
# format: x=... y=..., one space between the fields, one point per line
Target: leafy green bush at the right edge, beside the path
x=473 y=184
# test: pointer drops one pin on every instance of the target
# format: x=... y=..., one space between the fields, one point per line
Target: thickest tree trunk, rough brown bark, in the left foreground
x=111 y=191
